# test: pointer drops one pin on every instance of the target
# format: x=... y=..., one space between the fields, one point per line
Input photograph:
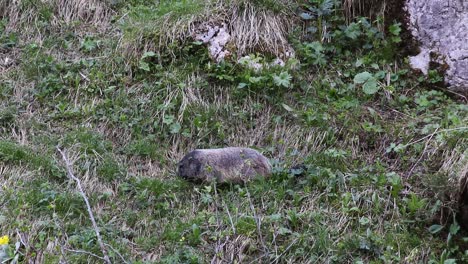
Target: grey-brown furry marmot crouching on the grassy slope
x=233 y=164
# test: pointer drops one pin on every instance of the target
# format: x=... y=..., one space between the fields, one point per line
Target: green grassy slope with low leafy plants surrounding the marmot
x=371 y=191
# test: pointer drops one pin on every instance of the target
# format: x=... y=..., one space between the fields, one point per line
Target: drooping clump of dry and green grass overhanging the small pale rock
x=252 y=27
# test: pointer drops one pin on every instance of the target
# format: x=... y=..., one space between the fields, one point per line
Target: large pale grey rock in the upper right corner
x=441 y=27
